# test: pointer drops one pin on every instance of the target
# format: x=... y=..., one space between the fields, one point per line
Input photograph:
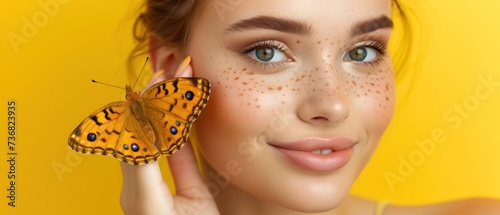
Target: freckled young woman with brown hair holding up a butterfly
x=302 y=91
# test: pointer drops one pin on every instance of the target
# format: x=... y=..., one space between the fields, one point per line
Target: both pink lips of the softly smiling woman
x=300 y=153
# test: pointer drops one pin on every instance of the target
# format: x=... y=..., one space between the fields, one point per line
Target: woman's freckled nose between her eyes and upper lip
x=326 y=100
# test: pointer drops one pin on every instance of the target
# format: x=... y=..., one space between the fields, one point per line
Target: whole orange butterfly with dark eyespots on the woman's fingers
x=139 y=130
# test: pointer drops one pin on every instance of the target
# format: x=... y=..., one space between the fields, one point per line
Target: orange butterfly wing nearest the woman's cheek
x=175 y=104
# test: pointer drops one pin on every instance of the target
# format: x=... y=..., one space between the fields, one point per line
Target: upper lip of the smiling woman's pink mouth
x=313 y=143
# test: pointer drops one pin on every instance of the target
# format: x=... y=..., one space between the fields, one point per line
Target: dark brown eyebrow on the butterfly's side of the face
x=273 y=23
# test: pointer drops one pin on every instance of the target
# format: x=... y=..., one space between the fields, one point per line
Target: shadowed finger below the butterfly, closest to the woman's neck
x=184 y=168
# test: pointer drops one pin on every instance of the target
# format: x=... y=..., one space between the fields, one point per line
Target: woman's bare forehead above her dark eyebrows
x=322 y=15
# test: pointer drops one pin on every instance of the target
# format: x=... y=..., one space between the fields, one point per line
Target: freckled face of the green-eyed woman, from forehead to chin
x=301 y=94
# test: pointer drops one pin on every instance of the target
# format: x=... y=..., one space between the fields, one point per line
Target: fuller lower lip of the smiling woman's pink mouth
x=317 y=162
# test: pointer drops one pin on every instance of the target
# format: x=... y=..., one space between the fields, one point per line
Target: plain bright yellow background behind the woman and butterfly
x=49 y=78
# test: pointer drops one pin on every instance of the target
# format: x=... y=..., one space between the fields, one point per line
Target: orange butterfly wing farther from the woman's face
x=113 y=130
